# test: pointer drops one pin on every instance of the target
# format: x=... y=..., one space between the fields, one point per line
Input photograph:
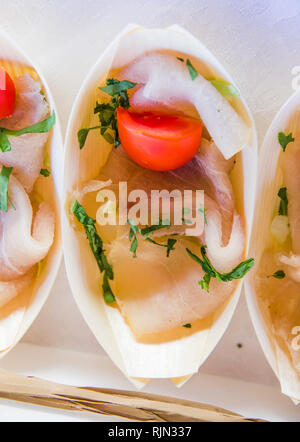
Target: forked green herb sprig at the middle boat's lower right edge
x=210 y=272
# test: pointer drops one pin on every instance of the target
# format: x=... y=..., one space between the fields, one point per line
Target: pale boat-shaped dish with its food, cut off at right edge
x=273 y=290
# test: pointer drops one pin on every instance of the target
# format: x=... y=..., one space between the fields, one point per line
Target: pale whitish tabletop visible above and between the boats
x=257 y=41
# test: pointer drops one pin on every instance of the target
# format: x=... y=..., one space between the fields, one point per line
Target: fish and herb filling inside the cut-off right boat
x=277 y=279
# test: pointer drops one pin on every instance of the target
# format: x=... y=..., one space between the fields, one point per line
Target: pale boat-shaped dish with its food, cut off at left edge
x=30 y=180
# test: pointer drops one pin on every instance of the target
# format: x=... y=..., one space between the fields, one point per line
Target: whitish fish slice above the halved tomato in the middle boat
x=167 y=80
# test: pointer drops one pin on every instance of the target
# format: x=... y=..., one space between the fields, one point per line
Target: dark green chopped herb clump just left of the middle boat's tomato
x=107 y=112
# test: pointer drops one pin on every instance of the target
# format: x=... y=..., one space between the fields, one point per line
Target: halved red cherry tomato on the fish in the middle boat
x=159 y=141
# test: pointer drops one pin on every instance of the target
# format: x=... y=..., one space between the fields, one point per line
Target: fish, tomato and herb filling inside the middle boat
x=163 y=275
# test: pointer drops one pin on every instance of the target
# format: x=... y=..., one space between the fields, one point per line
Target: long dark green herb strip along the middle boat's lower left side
x=96 y=245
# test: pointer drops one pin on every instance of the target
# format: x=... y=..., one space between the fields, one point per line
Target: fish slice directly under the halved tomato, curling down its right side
x=209 y=171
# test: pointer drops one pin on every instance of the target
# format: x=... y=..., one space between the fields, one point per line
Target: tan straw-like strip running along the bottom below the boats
x=126 y=404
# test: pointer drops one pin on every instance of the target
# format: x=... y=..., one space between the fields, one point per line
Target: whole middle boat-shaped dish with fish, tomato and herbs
x=144 y=303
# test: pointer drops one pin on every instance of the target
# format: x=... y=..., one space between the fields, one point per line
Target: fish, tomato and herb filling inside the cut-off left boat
x=27 y=225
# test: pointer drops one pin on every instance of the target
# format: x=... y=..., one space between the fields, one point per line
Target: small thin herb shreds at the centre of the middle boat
x=146 y=232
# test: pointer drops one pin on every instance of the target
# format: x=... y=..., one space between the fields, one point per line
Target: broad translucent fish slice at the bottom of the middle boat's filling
x=170 y=299
